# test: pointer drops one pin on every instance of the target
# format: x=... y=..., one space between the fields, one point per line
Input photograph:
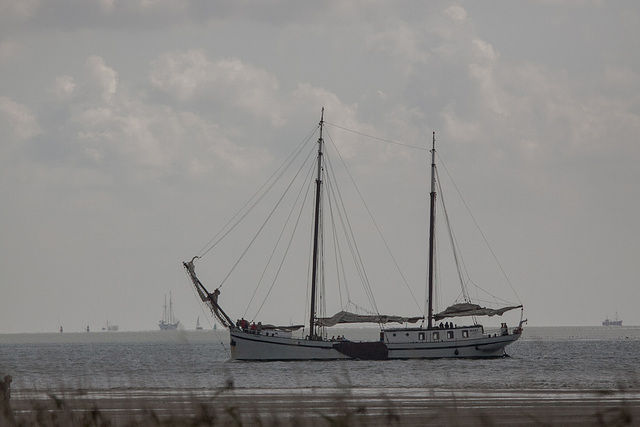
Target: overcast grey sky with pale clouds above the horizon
x=131 y=131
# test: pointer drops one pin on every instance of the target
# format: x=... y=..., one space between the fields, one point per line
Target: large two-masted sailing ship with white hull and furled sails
x=418 y=337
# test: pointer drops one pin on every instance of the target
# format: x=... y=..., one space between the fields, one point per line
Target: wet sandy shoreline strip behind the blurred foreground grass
x=355 y=406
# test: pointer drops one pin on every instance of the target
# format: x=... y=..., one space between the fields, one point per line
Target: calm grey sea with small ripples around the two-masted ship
x=544 y=359
